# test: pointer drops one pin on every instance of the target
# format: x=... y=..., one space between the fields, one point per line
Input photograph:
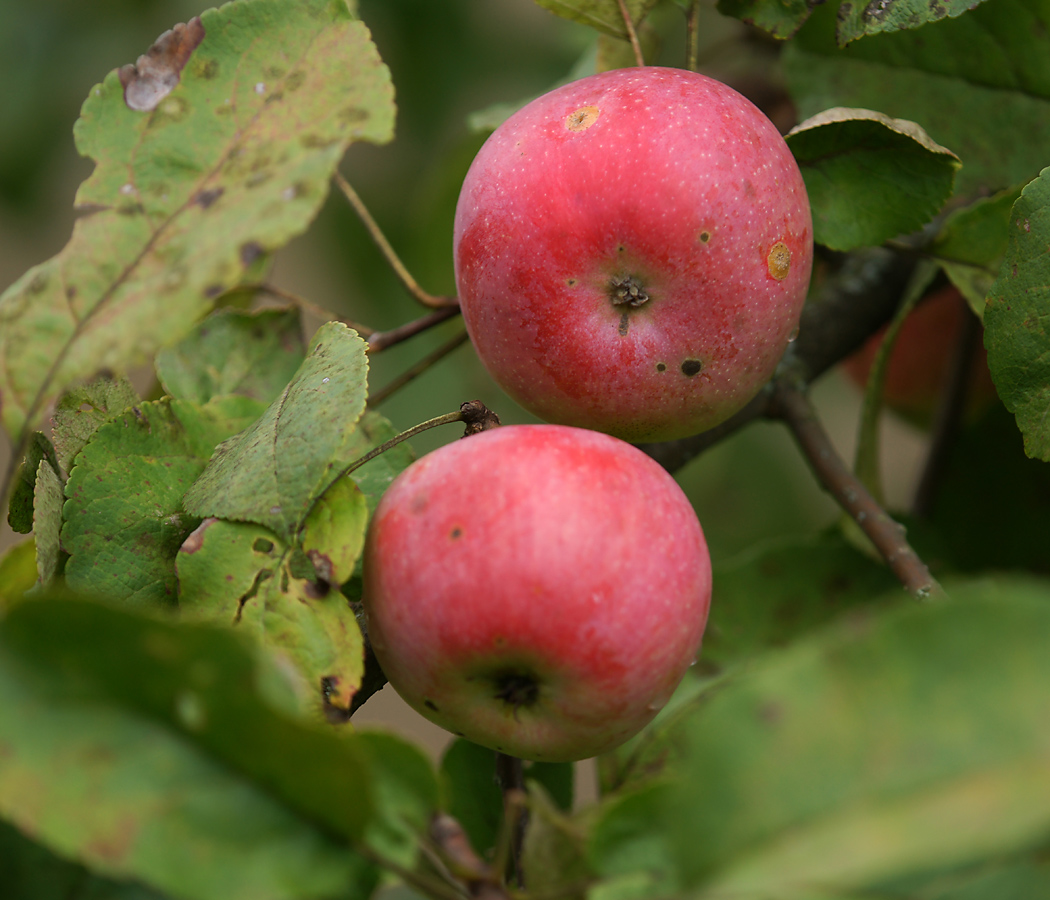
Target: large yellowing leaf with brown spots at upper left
x=185 y=199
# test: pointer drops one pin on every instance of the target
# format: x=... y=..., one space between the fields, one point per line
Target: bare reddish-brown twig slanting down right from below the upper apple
x=791 y=404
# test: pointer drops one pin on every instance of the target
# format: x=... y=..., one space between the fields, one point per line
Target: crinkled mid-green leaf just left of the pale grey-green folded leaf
x=125 y=519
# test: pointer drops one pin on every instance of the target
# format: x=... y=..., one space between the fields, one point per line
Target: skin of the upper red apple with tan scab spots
x=661 y=176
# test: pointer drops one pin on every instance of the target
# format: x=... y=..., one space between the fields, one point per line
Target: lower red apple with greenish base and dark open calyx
x=538 y=590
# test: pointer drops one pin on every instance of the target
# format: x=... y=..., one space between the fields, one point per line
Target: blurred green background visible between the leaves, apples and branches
x=449 y=59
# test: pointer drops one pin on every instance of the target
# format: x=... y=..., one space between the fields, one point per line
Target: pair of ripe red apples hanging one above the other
x=633 y=253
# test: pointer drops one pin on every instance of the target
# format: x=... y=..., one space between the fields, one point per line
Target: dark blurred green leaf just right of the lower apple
x=782 y=591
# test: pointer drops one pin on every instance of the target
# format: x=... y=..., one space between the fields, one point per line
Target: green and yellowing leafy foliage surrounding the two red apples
x=180 y=645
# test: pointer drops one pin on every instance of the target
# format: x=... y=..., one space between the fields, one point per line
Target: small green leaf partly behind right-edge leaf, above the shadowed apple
x=973 y=243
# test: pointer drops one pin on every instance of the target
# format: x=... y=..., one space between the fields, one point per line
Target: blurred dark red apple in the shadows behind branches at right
x=921 y=361
